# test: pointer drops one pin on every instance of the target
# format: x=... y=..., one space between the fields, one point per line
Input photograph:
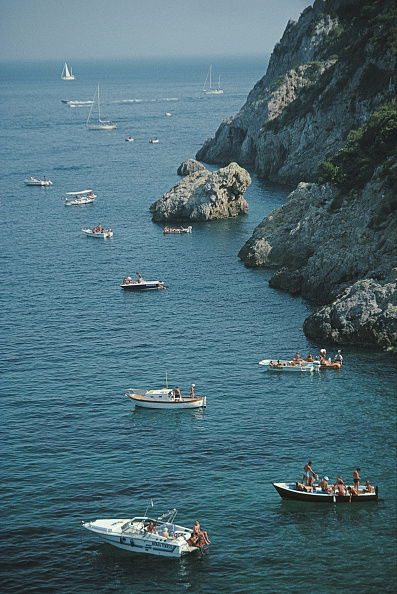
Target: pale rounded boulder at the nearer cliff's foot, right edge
x=365 y=313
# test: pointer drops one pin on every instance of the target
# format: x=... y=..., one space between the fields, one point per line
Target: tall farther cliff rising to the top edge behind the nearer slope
x=325 y=77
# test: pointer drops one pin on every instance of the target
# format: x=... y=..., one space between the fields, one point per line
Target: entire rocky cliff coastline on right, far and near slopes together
x=328 y=95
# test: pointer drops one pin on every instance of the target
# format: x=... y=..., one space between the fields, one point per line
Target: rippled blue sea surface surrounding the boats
x=74 y=448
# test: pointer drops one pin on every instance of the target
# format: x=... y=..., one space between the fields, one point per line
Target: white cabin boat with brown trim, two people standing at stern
x=165 y=398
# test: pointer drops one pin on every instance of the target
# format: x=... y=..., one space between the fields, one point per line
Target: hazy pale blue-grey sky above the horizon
x=69 y=29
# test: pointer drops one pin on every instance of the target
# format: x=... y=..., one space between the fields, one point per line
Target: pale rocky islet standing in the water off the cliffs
x=204 y=196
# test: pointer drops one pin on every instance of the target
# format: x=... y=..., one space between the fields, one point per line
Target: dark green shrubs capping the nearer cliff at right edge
x=366 y=148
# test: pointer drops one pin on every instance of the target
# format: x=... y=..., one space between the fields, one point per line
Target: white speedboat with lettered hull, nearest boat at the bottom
x=146 y=535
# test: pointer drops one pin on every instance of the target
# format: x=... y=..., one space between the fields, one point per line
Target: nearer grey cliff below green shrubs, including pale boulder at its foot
x=338 y=249
